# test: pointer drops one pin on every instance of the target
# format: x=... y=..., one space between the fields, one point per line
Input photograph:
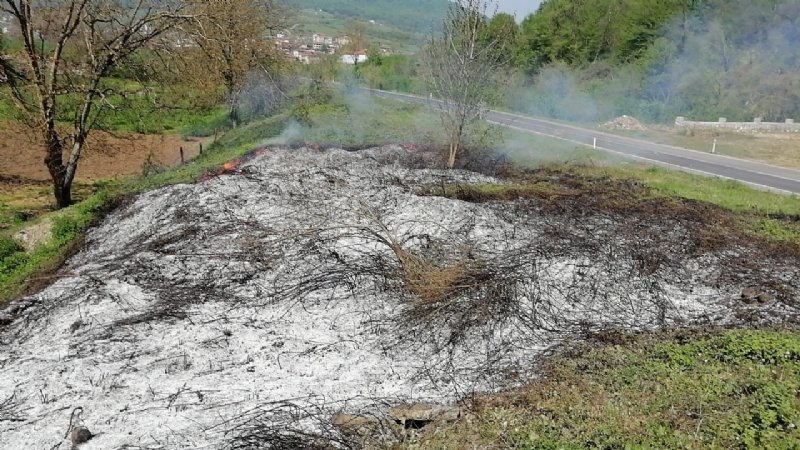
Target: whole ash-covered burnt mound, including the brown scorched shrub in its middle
x=312 y=282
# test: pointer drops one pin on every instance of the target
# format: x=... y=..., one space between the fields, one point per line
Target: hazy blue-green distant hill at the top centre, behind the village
x=420 y=16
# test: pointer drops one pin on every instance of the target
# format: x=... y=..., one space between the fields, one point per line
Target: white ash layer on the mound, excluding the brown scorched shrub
x=183 y=311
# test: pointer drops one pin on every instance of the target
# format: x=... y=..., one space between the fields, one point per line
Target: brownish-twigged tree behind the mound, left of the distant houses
x=234 y=38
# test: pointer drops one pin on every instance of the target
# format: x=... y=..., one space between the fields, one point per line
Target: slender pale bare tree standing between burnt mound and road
x=461 y=66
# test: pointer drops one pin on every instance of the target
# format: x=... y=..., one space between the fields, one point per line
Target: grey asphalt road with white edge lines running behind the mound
x=759 y=175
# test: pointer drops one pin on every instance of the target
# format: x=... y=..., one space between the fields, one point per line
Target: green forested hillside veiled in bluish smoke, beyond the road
x=660 y=58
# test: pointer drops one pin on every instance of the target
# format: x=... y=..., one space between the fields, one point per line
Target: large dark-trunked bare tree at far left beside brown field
x=70 y=48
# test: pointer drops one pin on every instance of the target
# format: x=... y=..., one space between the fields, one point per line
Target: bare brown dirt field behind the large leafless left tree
x=106 y=156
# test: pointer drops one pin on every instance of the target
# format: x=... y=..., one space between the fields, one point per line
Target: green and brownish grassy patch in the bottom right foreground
x=735 y=389
